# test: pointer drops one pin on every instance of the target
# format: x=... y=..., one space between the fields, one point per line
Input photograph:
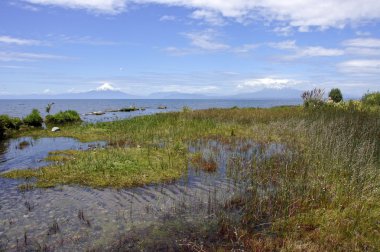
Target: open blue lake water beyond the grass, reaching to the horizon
x=20 y=108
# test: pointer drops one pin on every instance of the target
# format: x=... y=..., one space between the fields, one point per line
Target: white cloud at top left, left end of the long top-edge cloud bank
x=99 y=6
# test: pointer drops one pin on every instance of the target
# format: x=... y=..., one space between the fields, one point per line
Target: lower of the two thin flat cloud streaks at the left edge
x=21 y=56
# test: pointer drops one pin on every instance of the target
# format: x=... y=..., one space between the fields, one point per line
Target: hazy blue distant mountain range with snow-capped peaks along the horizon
x=264 y=94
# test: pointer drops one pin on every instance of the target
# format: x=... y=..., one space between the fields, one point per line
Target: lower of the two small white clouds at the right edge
x=360 y=66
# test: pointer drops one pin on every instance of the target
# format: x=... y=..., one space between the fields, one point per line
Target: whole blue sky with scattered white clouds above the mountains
x=193 y=46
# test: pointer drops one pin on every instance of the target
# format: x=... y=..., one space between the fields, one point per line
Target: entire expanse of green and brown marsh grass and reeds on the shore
x=320 y=194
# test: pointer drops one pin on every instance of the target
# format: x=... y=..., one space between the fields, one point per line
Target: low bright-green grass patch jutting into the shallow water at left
x=115 y=167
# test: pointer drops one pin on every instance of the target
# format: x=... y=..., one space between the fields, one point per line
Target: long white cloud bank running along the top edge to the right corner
x=295 y=13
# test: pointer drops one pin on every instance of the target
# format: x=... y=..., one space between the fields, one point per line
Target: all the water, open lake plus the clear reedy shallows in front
x=75 y=218
